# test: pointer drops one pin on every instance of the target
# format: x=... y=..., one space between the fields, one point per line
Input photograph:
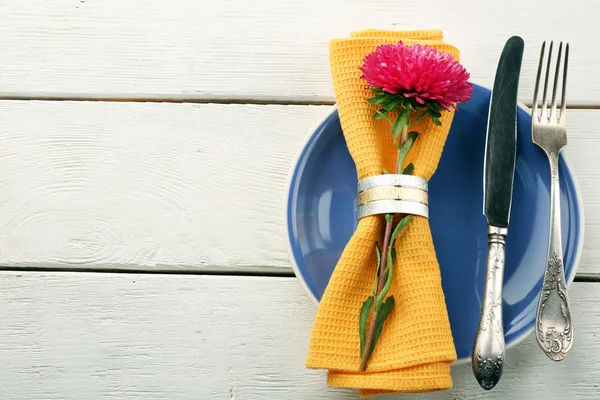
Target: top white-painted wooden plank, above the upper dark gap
x=224 y=49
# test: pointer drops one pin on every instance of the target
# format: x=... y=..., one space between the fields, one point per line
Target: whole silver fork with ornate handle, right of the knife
x=554 y=331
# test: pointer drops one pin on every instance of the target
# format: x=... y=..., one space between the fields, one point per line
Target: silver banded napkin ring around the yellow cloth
x=393 y=194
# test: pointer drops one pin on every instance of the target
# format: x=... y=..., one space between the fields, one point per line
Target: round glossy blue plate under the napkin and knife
x=322 y=215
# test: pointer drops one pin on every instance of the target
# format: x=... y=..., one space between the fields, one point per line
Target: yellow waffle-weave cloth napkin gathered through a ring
x=415 y=350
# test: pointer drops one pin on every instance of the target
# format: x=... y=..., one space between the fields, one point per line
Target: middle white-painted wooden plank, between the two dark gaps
x=157 y=186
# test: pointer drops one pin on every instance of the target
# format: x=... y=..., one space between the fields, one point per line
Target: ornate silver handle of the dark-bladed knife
x=488 y=349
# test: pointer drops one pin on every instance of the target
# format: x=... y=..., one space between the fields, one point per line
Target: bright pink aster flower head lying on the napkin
x=416 y=71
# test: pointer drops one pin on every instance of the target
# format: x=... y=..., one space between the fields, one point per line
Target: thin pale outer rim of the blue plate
x=300 y=277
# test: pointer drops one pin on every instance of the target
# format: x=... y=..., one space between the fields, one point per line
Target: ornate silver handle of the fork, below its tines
x=554 y=331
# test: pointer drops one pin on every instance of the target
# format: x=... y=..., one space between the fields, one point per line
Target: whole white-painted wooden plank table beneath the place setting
x=123 y=122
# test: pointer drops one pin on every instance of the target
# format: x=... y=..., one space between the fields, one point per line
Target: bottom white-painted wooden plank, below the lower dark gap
x=171 y=337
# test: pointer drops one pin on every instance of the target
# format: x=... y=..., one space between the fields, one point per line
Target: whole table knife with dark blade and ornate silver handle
x=499 y=169
